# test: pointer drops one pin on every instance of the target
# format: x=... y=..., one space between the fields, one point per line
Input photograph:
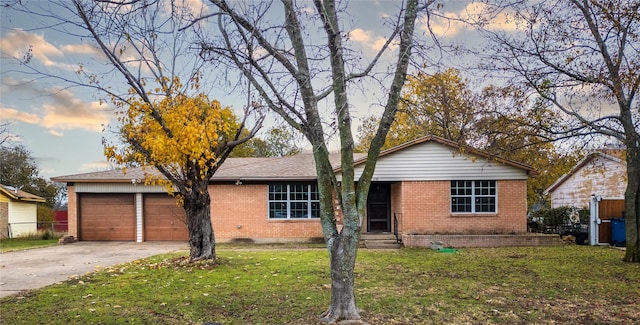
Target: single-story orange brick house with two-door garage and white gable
x=427 y=186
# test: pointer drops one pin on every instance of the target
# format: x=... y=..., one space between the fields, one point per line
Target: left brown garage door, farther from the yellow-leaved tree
x=107 y=216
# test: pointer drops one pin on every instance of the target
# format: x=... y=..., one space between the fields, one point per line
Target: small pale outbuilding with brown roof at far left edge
x=18 y=212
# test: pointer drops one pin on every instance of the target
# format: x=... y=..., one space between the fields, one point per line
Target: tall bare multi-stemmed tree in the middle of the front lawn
x=294 y=75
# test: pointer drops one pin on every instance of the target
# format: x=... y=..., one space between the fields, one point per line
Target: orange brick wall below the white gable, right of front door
x=425 y=209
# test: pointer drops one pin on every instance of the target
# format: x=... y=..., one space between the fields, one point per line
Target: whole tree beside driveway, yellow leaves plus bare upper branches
x=146 y=50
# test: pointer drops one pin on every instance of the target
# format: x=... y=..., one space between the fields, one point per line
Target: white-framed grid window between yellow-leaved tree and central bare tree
x=293 y=201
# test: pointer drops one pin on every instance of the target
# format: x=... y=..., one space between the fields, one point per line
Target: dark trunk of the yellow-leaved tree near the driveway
x=197 y=205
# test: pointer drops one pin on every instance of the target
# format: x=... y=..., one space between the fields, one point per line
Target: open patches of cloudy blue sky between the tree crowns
x=64 y=126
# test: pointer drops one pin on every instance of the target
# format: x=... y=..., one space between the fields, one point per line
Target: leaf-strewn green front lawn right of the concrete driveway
x=551 y=285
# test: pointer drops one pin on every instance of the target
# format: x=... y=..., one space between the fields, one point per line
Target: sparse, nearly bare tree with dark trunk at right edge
x=581 y=57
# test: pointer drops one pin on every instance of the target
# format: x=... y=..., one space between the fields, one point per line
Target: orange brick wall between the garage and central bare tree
x=241 y=211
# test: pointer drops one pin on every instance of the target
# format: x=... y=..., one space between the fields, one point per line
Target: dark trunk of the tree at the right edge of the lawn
x=632 y=204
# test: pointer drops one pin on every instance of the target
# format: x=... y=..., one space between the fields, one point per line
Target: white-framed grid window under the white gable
x=473 y=196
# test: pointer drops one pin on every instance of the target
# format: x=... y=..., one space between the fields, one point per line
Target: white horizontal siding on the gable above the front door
x=434 y=161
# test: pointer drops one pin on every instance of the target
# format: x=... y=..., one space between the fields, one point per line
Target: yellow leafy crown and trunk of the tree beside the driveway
x=186 y=139
